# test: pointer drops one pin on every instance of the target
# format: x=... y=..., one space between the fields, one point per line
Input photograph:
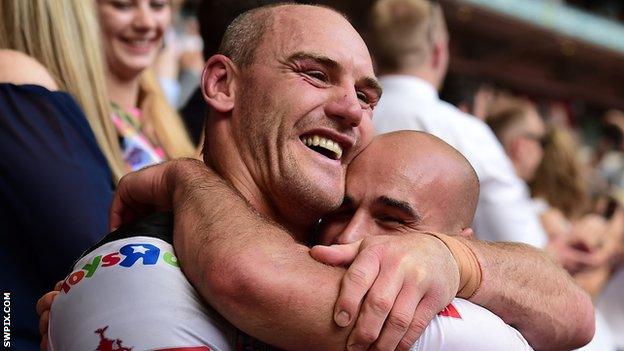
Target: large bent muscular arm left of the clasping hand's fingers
x=253 y=272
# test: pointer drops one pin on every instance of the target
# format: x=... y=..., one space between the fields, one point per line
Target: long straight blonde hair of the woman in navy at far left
x=64 y=36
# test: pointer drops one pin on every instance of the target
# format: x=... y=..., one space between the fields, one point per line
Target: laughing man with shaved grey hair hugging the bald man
x=287 y=75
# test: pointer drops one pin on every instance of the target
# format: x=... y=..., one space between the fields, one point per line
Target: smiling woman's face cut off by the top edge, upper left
x=132 y=33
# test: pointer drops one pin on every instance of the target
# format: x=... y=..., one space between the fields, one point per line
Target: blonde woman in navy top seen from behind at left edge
x=58 y=164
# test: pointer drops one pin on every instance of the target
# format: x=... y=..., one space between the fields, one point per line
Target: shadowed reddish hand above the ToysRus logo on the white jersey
x=149 y=190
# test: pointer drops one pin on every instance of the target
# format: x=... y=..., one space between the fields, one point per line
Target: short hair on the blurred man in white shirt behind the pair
x=404 y=31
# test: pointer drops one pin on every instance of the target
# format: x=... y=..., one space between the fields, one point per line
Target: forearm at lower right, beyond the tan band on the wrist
x=528 y=291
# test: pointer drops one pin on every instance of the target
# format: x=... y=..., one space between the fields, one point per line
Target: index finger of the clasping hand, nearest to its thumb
x=355 y=284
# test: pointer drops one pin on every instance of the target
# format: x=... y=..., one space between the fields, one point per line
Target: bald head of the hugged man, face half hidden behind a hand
x=404 y=180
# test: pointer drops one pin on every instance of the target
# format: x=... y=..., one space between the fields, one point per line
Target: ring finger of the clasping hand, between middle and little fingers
x=399 y=319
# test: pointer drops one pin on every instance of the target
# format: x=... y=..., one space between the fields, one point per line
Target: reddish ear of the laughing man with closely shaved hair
x=218 y=83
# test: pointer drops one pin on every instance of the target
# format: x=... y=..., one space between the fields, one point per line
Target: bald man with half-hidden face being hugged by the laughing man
x=414 y=180
